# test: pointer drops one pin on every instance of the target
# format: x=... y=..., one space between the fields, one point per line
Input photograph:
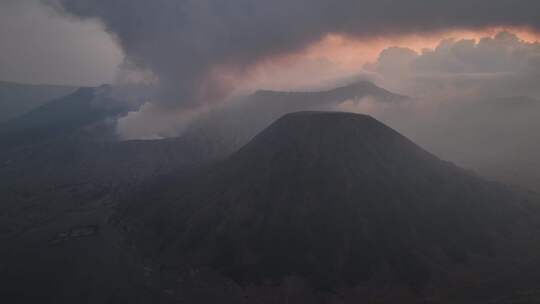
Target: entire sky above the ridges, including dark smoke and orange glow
x=80 y=42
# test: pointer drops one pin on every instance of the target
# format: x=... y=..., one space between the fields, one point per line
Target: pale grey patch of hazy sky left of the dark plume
x=38 y=46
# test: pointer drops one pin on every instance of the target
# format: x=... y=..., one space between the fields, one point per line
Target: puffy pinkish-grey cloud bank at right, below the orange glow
x=497 y=66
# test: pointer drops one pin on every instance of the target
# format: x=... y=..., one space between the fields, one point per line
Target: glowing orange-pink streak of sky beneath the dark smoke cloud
x=337 y=57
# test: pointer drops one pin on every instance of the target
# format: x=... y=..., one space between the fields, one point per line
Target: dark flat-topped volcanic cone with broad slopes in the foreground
x=343 y=204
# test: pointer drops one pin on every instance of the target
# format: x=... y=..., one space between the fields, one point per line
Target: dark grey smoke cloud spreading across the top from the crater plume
x=194 y=45
